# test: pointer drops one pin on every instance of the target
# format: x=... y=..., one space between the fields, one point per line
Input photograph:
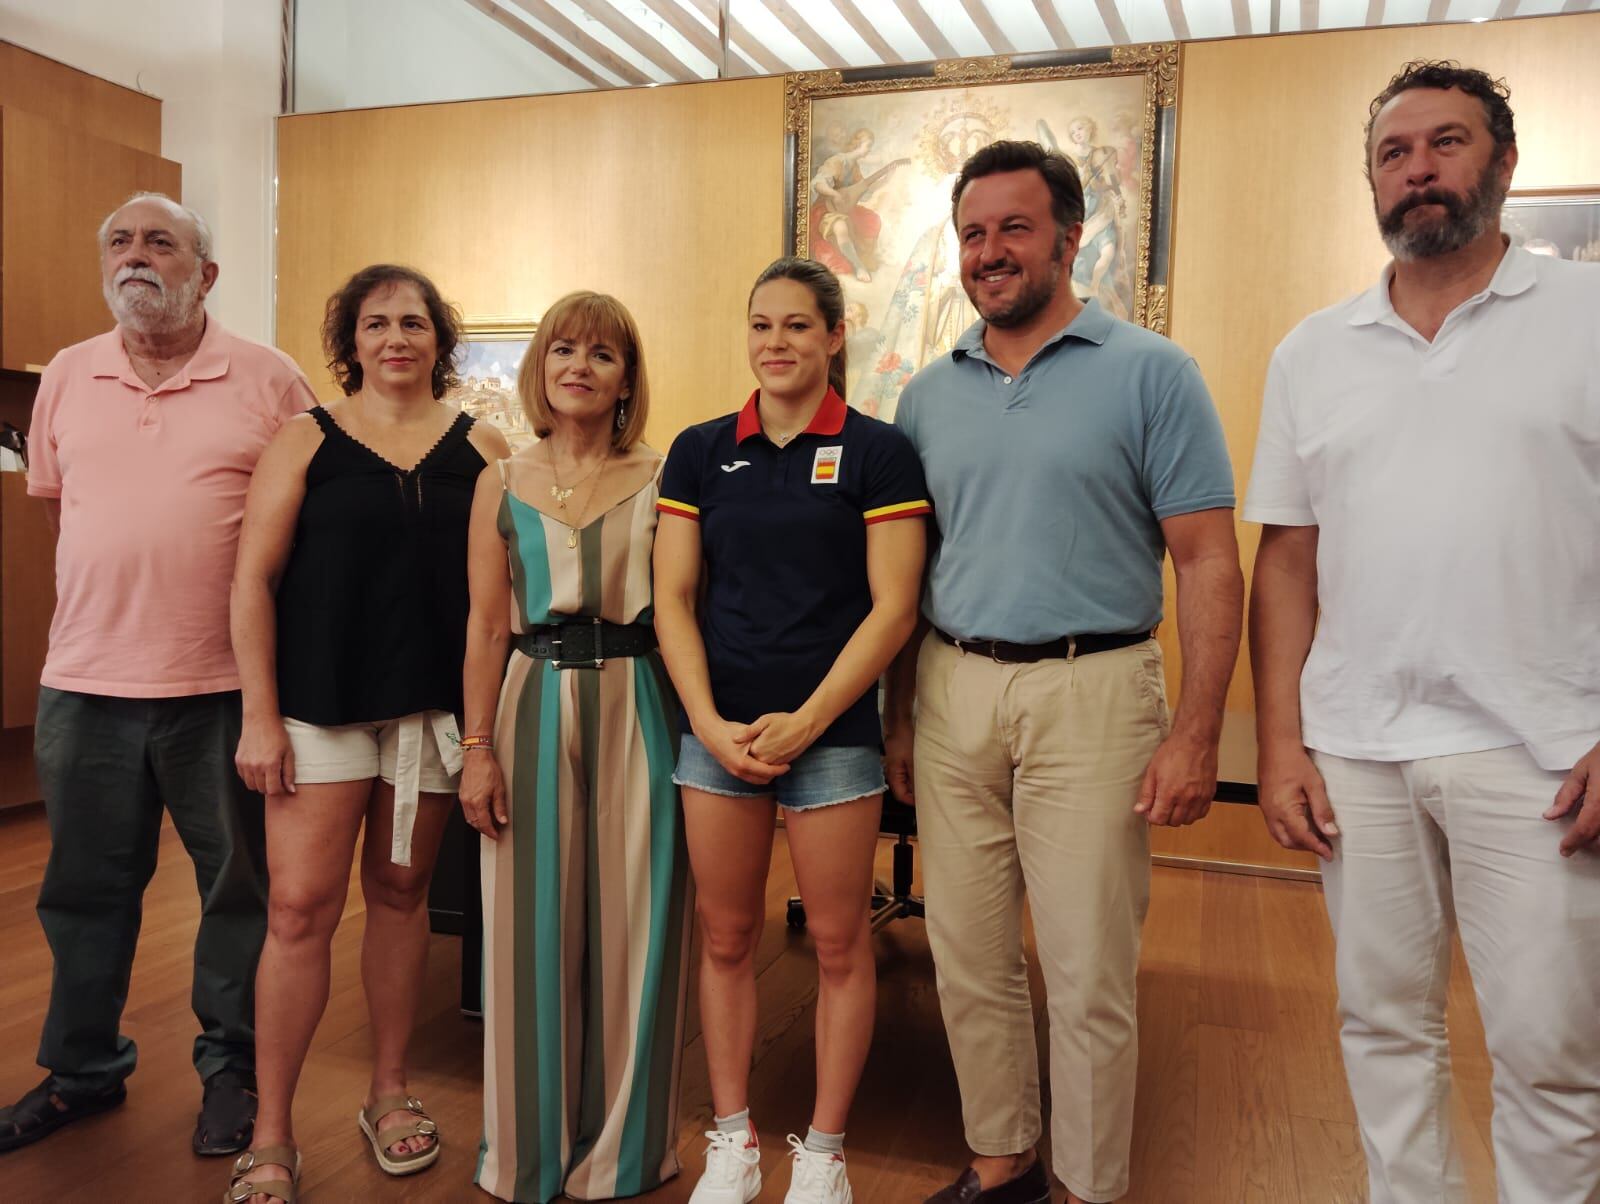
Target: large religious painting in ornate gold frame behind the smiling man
x=873 y=159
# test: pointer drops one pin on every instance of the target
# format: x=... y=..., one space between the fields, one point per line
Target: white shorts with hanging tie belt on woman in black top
x=417 y=755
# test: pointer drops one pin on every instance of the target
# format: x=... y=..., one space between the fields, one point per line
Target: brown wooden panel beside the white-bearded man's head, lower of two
x=60 y=185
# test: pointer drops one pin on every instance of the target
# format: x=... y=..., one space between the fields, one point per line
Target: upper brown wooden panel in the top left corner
x=87 y=103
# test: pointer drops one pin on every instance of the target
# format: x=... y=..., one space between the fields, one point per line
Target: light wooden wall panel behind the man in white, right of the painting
x=1273 y=214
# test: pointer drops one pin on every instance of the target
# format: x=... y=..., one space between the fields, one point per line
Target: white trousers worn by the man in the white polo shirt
x=1426 y=846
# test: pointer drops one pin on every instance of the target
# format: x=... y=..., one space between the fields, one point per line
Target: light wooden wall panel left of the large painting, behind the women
x=668 y=198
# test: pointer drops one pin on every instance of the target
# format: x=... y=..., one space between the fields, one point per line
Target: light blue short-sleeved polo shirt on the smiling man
x=1049 y=488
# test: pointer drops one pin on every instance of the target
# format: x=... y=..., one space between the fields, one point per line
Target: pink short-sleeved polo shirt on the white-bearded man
x=153 y=489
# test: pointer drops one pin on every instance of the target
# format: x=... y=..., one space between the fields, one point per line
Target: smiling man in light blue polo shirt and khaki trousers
x=1066 y=452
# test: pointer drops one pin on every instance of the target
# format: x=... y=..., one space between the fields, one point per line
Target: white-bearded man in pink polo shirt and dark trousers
x=143 y=444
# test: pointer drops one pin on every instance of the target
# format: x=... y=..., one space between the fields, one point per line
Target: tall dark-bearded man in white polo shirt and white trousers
x=1426 y=649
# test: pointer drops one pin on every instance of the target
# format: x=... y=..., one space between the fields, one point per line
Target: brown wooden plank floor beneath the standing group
x=1241 y=1088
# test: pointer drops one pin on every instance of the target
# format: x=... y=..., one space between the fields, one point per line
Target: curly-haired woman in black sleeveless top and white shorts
x=350 y=628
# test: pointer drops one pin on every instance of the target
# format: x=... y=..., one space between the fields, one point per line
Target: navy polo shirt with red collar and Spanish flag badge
x=785 y=537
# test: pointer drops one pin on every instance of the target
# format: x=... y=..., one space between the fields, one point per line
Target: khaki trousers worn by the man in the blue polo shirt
x=1026 y=782
